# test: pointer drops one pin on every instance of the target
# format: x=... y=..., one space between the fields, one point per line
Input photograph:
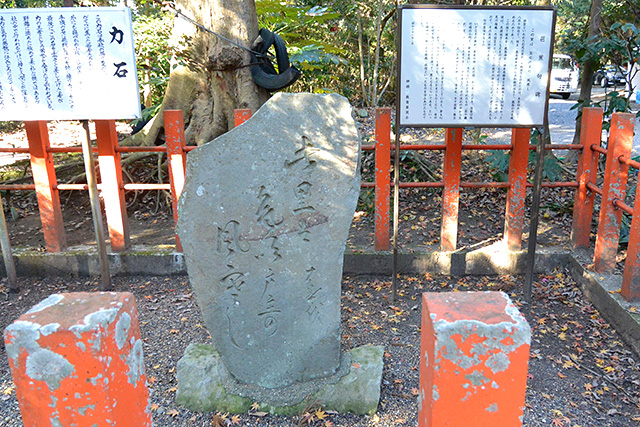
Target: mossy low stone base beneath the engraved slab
x=205 y=385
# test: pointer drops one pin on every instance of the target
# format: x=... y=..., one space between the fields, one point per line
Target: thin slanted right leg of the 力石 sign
x=89 y=166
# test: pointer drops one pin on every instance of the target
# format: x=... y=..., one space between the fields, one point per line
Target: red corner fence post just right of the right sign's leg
x=590 y=134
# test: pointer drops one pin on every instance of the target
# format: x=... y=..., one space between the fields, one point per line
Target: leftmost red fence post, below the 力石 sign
x=44 y=178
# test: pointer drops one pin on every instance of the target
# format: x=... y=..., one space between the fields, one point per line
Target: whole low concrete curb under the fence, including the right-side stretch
x=602 y=290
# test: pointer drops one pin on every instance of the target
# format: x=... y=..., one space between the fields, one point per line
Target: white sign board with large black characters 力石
x=67 y=63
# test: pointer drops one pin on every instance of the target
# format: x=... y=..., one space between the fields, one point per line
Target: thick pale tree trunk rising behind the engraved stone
x=211 y=78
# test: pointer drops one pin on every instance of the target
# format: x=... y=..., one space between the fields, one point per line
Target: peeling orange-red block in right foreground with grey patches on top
x=473 y=360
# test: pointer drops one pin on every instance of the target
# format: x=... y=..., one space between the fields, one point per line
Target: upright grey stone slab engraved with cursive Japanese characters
x=263 y=220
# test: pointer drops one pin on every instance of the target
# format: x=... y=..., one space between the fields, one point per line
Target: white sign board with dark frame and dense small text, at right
x=474 y=66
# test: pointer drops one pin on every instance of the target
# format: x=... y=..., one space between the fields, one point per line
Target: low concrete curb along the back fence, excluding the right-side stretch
x=163 y=260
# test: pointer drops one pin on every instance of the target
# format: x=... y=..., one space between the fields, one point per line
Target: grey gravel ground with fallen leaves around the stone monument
x=580 y=372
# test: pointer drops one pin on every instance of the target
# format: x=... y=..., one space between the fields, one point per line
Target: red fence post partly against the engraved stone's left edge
x=175 y=141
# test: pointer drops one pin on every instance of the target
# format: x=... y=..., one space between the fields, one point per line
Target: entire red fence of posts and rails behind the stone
x=612 y=192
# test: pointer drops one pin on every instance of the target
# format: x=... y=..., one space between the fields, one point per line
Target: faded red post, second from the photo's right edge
x=614 y=187
